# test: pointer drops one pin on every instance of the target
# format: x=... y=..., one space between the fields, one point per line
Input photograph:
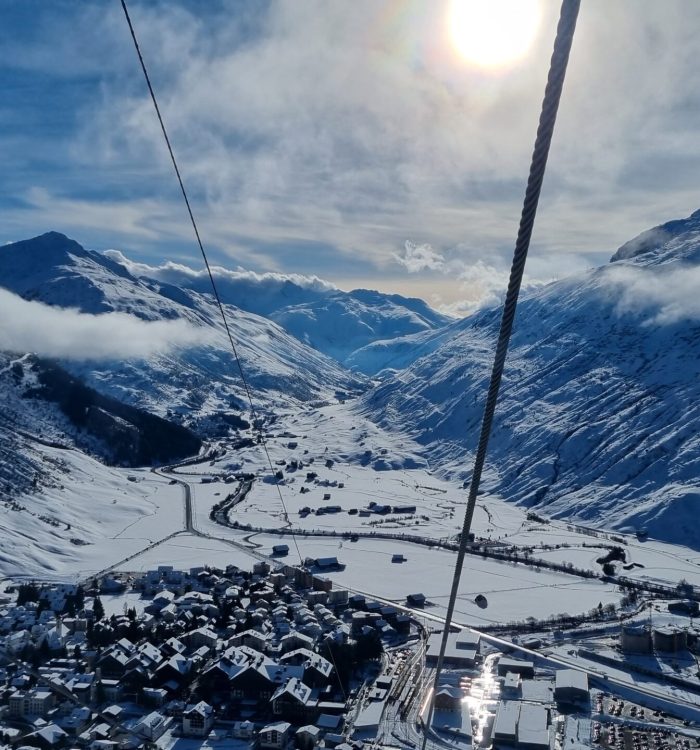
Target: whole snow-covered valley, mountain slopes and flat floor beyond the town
x=596 y=432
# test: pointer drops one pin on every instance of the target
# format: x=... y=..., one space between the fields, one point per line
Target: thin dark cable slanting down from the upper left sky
x=209 y=272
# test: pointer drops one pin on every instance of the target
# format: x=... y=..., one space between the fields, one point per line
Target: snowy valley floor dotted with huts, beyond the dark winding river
x=360 y=453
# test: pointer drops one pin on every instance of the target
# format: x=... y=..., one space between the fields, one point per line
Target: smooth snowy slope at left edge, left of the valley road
x=91 y=516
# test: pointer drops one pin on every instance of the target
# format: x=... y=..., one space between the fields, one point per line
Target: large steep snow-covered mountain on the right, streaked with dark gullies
x=599 y=413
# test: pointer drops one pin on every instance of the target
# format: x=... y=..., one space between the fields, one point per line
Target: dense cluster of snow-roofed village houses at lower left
x=248 y=655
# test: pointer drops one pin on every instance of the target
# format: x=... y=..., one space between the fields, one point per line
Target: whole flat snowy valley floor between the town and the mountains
x=135 y=519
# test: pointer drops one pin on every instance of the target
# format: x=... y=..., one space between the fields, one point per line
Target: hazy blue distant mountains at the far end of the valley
x=328 y=319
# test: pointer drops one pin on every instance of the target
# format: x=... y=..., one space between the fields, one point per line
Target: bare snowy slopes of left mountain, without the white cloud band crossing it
x=194 y=379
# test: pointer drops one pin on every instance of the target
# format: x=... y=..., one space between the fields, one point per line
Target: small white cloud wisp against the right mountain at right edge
x=664 y=296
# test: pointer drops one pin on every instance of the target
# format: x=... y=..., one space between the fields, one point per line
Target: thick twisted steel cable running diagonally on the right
x=548 y=116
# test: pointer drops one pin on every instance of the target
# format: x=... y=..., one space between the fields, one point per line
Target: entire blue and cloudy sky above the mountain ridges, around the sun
x=347 y=140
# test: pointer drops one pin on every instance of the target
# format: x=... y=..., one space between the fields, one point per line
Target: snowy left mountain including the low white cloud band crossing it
x=184 y=363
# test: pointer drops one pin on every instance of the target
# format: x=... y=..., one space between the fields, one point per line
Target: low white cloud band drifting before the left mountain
x=70 y=334
